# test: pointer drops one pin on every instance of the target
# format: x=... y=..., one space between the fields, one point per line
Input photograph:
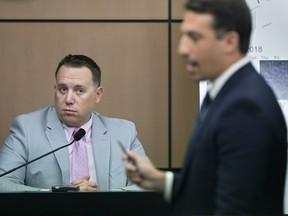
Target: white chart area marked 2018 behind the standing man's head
x=269 y=38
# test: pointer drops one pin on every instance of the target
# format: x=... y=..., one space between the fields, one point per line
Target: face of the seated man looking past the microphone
x=75 y=95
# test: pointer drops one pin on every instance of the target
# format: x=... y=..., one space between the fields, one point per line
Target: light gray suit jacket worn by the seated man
x=39 y=132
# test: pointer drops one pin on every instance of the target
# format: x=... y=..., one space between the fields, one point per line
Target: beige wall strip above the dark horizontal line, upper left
x=84 y=9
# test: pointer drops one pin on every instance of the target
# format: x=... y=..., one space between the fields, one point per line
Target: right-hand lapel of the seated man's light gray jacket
x=101 y=141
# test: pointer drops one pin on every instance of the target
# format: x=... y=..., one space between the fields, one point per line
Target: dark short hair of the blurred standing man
x=229 y=15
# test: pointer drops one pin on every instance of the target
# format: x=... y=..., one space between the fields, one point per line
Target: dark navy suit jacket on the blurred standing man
x=236 y=158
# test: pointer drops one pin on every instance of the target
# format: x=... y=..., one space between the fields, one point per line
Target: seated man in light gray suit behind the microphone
x=77 y=91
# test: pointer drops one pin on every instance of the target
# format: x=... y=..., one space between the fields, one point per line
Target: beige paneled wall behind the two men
x=129 y=41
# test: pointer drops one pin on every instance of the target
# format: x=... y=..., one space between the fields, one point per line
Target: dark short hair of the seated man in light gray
x=80 y=61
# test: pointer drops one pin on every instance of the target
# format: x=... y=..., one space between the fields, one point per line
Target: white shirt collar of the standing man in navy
x=215 y=86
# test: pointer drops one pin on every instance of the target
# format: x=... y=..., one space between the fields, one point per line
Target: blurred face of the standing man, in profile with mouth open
x=200 y=47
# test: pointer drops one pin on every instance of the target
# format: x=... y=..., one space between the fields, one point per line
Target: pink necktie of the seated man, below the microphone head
x=79 y=159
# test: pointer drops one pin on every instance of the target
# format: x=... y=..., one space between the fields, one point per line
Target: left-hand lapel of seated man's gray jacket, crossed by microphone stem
x=56 y=136
